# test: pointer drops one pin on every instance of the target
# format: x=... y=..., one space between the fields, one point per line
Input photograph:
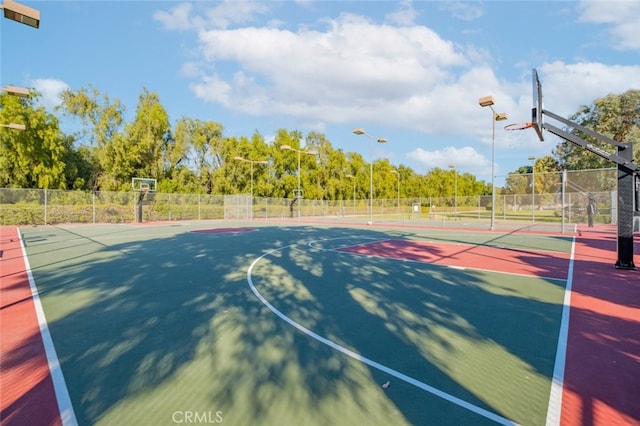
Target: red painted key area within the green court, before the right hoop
x=548 y=265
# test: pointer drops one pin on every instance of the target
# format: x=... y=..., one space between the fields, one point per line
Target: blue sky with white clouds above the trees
x=408 y=71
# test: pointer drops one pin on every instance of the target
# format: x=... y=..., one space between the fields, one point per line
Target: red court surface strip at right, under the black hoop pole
x=602 y=373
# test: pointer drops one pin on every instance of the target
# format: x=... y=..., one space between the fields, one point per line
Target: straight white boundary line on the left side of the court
x=63 y=399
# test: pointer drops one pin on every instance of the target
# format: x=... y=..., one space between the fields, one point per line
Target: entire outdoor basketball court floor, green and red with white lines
x=251 y=323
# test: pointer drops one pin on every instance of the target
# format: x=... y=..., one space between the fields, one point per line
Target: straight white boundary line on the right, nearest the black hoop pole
x=554 y=410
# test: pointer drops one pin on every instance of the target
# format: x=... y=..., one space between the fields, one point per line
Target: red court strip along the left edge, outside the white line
x=27 y=395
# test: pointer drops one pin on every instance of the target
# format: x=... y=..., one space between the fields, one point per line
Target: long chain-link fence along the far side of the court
x=578 y=197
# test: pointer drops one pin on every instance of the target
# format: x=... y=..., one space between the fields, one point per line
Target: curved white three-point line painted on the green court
x=425 y=387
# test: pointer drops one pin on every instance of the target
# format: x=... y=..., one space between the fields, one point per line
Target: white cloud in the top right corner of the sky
x=623 y=18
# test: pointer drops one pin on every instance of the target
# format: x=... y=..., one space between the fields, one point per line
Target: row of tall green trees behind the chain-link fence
x=195 y=156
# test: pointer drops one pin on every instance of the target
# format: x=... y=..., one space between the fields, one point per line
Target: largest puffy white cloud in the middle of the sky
x=355 y=67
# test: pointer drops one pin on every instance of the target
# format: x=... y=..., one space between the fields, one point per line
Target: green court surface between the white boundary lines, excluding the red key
x=276 y=326
